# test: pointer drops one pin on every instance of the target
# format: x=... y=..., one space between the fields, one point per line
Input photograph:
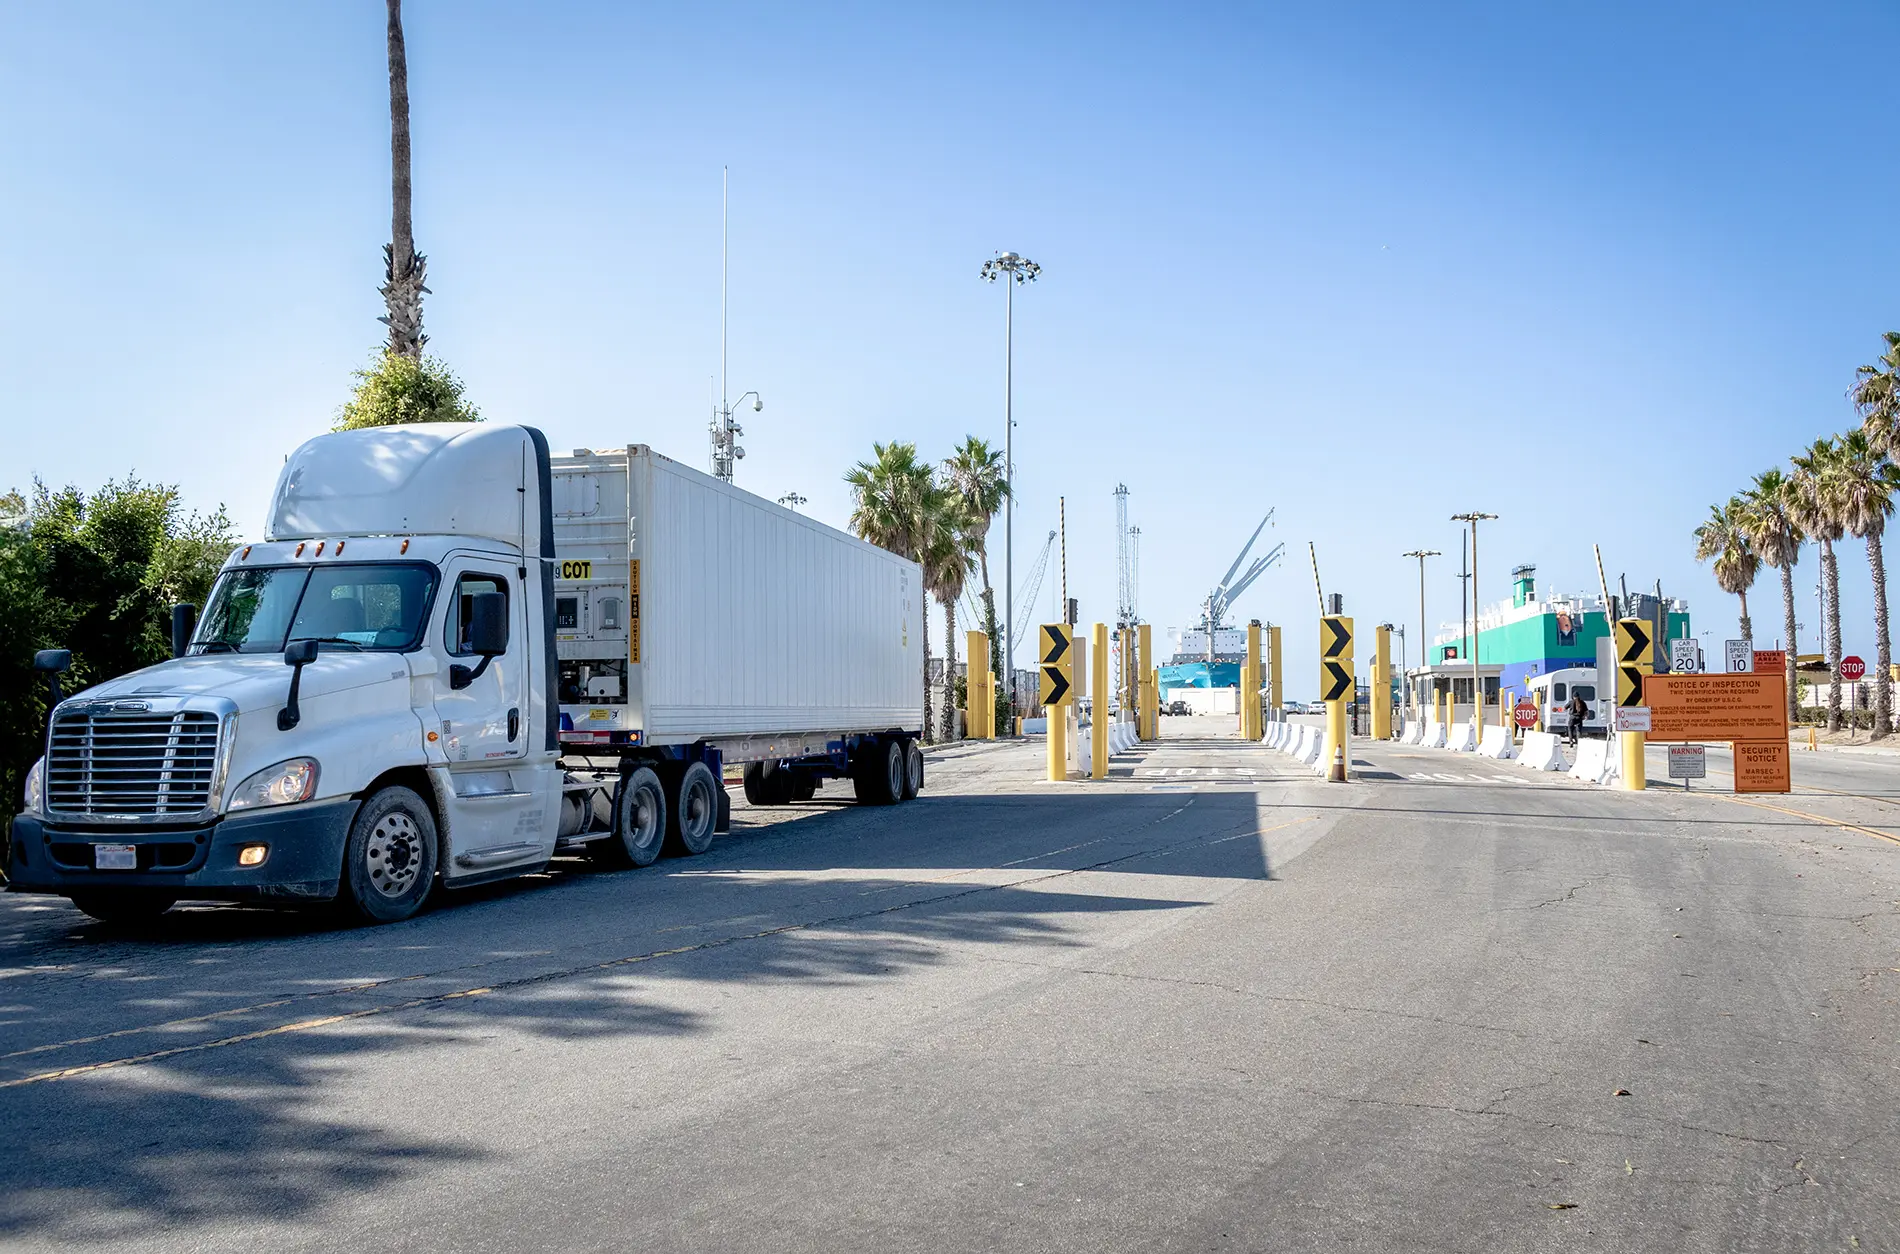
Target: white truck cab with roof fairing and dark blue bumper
x=366 y=708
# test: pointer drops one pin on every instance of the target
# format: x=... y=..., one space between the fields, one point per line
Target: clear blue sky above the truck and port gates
x=1582 y=267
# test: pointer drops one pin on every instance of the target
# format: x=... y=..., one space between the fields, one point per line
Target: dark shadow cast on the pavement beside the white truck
x=237 y=1023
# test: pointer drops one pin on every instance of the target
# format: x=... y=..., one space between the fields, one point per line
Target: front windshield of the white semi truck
x=362 y=607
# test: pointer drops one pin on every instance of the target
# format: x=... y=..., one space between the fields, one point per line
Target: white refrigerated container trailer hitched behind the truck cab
x=693 y=617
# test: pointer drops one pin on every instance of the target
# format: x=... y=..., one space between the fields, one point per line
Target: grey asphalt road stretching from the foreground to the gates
x=1207 y=1006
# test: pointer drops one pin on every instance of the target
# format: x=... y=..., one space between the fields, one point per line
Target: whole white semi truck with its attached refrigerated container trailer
x=455 y=656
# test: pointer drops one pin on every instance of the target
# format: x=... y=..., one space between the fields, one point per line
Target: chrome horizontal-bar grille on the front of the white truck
x=132 y=765
